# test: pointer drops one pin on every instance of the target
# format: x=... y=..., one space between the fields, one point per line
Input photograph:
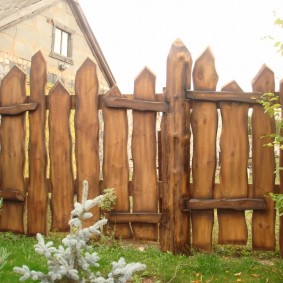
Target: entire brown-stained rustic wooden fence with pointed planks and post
x=153 y=204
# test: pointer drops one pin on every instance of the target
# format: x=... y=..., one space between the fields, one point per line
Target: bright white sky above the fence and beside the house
x=137 y=33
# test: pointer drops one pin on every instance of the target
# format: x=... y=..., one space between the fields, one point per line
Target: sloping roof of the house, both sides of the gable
x=14 y=11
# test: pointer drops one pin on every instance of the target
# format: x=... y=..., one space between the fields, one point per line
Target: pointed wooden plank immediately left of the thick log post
x=145 y=198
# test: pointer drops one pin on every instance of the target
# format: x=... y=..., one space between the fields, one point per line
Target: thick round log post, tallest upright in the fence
x=175 y=229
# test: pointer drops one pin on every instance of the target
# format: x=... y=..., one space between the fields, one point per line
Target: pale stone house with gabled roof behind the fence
x=59 y=29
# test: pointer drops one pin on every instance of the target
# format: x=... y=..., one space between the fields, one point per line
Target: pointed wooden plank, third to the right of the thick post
x=263 y=222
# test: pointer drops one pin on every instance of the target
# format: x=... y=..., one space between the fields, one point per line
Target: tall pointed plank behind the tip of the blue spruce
x=87 y=127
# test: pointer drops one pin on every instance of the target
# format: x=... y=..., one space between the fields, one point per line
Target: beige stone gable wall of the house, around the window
x=19 y=42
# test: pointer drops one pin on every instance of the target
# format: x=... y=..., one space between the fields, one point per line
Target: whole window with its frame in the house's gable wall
x=62 y=43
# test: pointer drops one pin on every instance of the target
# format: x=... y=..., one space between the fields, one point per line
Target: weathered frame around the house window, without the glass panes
x=68 y=59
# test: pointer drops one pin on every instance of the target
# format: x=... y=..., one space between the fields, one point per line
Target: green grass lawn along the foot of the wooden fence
x=225 y=264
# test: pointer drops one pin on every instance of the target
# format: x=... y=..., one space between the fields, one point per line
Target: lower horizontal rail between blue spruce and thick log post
x=141 y=217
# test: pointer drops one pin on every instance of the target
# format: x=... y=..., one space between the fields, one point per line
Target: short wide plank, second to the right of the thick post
x=234 y=146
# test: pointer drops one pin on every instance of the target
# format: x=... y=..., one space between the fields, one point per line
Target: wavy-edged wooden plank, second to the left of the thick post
x=115 y=159
